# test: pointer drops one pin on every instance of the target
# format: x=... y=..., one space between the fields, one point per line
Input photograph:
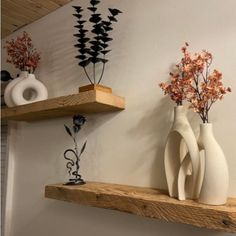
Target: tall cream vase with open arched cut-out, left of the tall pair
x=182 y=162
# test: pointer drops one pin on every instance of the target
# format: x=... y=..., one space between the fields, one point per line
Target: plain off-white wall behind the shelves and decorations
x=124 y=147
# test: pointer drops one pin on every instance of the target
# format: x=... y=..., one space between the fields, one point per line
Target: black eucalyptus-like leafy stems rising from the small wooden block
x=94 y=49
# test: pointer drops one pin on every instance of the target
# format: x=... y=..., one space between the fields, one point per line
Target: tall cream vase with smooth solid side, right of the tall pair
x=215 y=184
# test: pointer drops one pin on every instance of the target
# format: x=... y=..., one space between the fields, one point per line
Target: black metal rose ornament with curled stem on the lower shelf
x=73 y=163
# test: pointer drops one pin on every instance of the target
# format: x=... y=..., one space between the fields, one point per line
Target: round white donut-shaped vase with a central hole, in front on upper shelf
x=30 y=84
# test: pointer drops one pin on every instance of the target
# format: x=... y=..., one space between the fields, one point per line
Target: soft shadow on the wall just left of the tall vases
x=155 y=125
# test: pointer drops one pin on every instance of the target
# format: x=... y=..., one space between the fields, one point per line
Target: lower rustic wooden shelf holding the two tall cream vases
x=148 y=202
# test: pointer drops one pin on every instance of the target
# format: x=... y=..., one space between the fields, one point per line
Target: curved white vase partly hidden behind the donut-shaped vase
x=7 y=93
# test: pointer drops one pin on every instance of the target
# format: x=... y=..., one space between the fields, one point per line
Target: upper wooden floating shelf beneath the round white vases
x=93 y=101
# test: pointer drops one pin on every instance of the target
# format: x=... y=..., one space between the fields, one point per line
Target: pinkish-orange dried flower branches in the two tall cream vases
x=194 y=82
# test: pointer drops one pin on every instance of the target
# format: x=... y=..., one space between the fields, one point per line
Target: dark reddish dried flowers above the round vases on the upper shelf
x=22 y=53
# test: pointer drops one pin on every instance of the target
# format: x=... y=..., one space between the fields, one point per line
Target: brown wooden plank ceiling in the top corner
x=18 y=13
